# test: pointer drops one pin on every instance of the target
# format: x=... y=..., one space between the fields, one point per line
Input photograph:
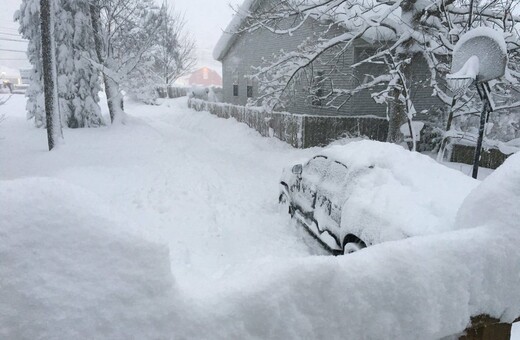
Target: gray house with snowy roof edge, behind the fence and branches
x=240 y=52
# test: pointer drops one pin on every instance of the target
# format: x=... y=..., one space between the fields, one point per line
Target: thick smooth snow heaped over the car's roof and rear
x=404 y=194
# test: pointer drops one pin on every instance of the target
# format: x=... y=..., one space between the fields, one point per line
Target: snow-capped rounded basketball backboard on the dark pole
x=489 y=46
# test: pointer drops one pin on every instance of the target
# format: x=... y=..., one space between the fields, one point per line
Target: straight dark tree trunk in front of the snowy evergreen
x=53 y=120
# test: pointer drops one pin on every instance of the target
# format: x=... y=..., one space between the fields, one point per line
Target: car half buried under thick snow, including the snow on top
x=363 y=193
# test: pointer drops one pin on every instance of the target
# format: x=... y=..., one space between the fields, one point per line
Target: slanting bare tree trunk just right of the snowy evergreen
x=114 y=97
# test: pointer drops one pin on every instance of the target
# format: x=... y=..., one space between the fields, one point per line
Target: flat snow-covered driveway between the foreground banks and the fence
x=205 y=186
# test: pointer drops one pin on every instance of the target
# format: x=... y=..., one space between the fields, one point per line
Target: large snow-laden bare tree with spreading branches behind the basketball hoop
x=403 y=31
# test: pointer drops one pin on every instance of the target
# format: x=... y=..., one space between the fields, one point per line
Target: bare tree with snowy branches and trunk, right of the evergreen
x=124 y=32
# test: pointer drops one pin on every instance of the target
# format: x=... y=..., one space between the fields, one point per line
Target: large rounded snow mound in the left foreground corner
x=67 y=273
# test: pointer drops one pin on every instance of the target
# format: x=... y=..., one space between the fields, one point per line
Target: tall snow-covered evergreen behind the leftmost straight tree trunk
x=78 y=81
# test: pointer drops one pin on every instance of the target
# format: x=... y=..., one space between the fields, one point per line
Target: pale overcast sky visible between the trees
x=205 y=20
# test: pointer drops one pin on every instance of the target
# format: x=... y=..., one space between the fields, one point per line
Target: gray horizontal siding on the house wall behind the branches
x=254 y=49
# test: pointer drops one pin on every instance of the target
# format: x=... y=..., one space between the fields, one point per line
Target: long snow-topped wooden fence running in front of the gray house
x=301 y=131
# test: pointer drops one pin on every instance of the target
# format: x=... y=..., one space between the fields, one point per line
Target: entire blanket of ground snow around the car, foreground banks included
x=207 y=187
